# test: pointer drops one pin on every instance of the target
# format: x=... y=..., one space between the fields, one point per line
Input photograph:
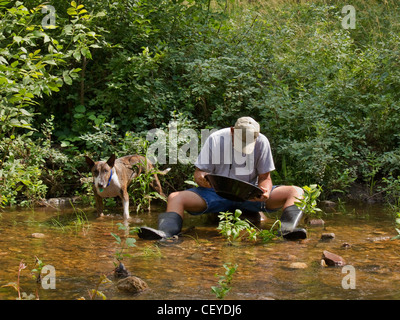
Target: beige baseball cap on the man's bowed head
x=246 y=131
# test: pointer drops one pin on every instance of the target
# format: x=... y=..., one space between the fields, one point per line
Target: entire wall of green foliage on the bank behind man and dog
x=326 y=97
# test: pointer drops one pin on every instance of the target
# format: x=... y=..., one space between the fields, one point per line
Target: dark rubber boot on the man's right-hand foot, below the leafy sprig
x=290 y=218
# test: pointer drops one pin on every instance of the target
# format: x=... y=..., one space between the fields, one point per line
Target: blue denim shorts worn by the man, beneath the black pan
x=216 y=203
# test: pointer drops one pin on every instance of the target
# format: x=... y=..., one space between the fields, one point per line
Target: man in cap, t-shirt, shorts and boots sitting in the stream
x=223 y=153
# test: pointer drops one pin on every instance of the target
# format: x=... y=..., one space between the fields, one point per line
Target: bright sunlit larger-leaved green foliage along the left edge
x=34 y=63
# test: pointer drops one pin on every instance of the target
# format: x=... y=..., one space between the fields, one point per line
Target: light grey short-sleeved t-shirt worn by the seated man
x=219 y=157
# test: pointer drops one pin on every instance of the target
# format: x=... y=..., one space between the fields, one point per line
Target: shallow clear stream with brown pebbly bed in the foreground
x=81 y=250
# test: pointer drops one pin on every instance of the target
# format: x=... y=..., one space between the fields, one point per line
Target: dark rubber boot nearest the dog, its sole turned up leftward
x=169 y=224
